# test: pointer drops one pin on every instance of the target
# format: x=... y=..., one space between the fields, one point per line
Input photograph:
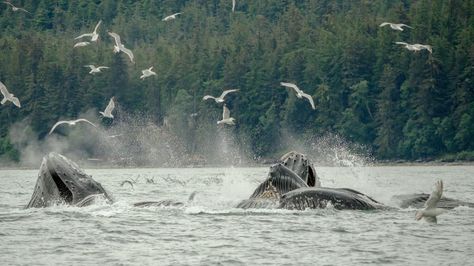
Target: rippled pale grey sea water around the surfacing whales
x=210 y=231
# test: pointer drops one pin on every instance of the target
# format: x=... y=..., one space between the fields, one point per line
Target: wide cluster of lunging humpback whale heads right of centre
x=294 y=184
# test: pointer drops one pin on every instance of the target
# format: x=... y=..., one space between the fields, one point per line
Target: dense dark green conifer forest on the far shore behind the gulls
x=367 y=90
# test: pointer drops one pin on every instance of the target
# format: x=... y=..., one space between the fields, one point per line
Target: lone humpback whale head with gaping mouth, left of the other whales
x=61 y=181
